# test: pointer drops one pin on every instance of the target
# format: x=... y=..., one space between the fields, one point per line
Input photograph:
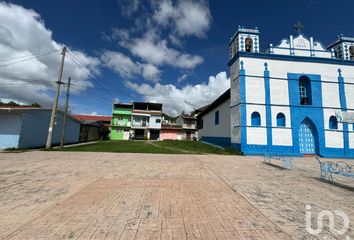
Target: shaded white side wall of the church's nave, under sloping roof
x=223 y=128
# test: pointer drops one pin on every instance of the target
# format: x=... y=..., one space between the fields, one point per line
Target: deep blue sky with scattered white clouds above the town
x=172 y=52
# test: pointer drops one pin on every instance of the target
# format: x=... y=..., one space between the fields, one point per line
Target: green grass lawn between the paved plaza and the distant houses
x=167 y=147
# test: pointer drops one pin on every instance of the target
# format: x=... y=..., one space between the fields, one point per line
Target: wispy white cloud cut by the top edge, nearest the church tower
x=186 y=17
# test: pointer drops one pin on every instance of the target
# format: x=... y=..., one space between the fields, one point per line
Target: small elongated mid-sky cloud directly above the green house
x=125 y=67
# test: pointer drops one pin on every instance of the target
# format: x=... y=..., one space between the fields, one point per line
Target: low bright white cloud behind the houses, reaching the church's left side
x=175 y=100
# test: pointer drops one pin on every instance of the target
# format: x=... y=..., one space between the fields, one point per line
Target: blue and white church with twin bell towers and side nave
x=295 y=98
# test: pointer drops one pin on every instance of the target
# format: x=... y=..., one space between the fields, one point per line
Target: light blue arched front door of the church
x=307 y=141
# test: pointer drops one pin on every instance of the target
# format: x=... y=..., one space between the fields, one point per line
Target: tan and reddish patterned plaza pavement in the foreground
x=63 y=195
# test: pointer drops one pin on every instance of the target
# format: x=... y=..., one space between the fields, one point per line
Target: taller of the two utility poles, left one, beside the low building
x=55 y=103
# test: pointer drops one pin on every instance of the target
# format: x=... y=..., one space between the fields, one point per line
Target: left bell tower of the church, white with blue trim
x=244 y=40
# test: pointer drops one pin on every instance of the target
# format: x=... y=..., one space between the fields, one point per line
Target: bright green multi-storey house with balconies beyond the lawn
x=121 y=121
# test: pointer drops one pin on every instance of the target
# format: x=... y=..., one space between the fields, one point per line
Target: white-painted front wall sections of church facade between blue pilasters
x=280 y=96
